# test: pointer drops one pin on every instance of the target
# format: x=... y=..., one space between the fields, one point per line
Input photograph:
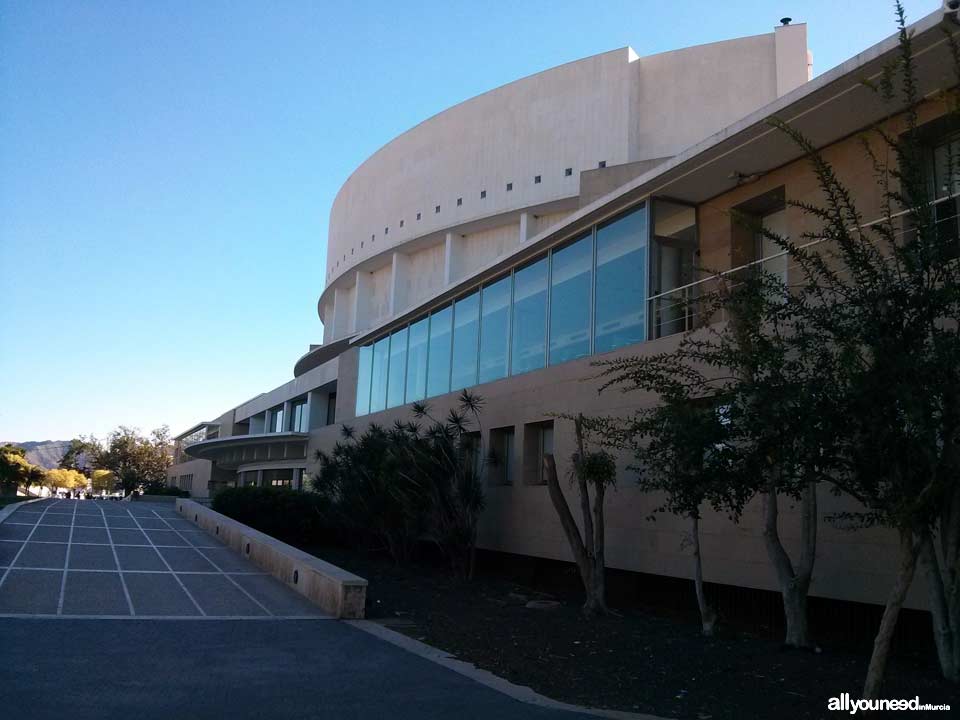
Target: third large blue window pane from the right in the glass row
x=529 y=325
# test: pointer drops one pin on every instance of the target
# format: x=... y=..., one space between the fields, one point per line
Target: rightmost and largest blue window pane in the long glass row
x=621 y=287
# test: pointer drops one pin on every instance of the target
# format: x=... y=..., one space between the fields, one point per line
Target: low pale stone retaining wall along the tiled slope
x=336 y=591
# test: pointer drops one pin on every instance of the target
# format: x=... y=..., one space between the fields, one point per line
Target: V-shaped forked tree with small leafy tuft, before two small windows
x=590 y=469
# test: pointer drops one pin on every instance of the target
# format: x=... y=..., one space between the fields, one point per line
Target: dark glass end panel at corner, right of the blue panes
x=674 y=246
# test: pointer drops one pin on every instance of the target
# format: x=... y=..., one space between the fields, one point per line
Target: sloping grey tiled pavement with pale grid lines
x=92 y=558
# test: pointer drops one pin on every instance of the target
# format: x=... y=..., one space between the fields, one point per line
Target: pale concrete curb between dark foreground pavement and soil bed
x=485 y=677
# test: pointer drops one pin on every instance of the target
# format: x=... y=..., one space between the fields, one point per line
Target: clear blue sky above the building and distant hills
x=167 y=170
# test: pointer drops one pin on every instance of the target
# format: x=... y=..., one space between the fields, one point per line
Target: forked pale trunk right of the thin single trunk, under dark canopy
x=794 y=583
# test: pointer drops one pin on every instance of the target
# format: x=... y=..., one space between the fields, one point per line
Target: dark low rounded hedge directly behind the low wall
x=291 y=515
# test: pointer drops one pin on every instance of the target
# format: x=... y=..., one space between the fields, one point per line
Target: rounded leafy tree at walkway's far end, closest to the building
x=135 y=460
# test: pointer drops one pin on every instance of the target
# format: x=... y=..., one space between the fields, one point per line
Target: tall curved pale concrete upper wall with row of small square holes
x=614 y=108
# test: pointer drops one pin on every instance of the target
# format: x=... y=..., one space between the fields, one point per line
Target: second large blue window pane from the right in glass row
x=570 y=301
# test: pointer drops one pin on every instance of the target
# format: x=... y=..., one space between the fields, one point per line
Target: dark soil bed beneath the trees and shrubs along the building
x=646 y=659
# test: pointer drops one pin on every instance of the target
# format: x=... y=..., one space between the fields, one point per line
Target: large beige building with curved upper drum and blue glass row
x=511 y=240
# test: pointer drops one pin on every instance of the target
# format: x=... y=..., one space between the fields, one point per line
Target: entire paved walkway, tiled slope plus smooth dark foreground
x=125 y=610
